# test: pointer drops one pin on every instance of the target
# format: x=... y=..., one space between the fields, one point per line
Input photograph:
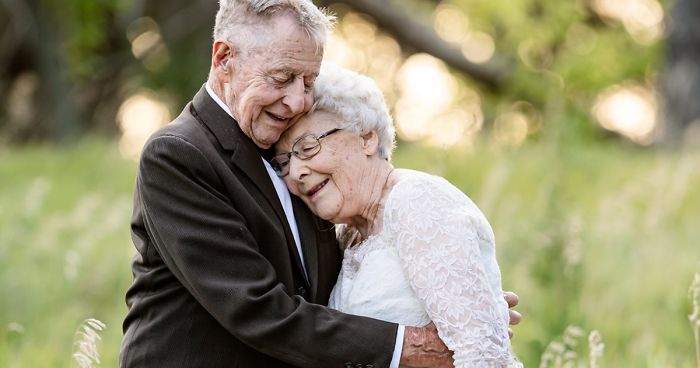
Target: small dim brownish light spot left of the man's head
x=147 y=44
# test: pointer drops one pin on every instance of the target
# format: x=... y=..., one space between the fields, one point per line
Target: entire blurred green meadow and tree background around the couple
x=574 y=125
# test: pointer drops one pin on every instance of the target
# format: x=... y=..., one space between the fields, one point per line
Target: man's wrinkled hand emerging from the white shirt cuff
x=422 y=348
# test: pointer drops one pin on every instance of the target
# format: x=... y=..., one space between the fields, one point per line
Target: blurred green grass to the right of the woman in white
x=594 y=235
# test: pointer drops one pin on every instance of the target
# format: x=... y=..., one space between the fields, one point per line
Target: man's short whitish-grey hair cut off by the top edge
x=244 y=22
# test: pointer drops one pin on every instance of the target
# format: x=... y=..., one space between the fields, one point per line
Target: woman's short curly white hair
x=359 y=103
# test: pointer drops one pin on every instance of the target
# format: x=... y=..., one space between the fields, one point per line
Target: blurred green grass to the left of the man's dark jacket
x=65 y=250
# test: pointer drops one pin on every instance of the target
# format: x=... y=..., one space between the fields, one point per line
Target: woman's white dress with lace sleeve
x=434 y=260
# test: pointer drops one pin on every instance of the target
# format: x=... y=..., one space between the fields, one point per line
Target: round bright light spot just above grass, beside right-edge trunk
x=630 y=110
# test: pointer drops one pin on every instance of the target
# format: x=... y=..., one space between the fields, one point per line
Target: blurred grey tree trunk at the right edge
x=681 y=80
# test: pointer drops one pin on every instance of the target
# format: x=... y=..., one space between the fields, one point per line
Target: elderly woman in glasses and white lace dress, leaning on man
x=416 y=248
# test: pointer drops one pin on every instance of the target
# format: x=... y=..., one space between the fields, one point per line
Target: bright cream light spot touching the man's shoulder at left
x=139 y=116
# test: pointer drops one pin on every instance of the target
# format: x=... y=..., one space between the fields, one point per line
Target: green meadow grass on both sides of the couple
x=602 y=236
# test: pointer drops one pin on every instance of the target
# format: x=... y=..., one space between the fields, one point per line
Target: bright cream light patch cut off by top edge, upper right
x=643 y=19
